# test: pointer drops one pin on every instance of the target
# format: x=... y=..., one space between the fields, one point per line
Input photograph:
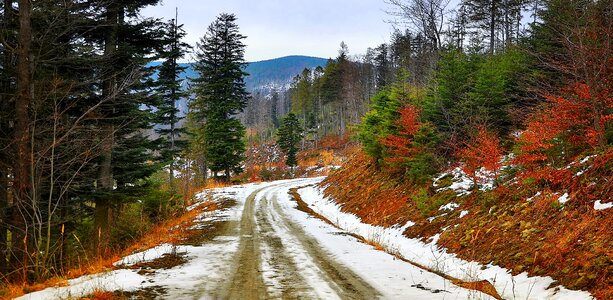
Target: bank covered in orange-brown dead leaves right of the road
x=542 y=233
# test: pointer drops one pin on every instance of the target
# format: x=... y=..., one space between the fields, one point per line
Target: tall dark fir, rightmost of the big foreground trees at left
x=129 y=43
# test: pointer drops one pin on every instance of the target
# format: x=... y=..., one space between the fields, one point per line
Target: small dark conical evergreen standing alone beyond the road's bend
x=288 y=137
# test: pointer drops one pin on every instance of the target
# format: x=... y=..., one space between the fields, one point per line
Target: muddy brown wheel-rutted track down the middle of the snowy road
x=269 y=237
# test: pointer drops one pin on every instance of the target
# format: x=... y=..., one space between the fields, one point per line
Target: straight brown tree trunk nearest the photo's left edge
x=21 y=181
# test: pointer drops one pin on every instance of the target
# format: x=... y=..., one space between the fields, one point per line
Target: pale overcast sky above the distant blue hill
x=276 y=28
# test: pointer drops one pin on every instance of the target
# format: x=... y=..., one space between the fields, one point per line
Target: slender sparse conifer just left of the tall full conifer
x=170 y=91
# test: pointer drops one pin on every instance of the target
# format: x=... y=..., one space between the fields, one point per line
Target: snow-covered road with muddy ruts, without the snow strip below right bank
x=267 y=249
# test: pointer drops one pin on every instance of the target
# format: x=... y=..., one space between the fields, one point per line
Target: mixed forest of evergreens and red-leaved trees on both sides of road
x=94 y=152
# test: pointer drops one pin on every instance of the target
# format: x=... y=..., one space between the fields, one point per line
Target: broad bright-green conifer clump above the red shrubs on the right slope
x=470 y=90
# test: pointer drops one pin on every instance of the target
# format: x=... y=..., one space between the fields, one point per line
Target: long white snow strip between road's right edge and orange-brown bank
x=429 y=254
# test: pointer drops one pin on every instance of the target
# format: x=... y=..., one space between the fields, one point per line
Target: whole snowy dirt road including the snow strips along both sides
x=259 y=245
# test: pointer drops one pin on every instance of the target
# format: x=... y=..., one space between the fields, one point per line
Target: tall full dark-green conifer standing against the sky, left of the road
x=220 y=95
